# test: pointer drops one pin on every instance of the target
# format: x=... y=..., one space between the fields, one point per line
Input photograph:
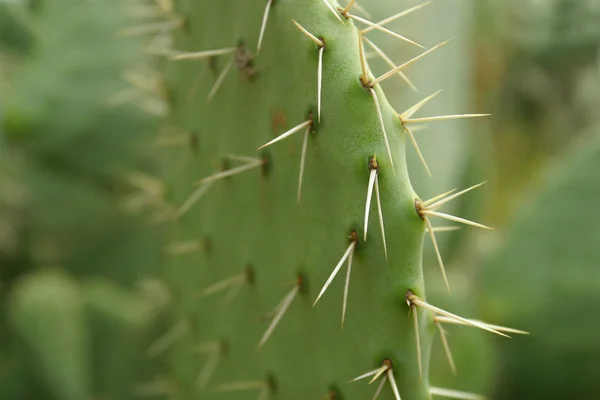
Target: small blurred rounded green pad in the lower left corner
x=48 y=311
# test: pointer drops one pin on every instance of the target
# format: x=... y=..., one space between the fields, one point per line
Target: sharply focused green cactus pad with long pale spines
x=295 y=255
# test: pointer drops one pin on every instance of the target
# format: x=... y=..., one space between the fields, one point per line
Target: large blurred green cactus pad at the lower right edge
x=549 y=269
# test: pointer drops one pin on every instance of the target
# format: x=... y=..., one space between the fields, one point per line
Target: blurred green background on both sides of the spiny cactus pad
x=82 y=302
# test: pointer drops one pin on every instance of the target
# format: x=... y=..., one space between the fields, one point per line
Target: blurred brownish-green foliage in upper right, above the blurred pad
x=533 y=58
